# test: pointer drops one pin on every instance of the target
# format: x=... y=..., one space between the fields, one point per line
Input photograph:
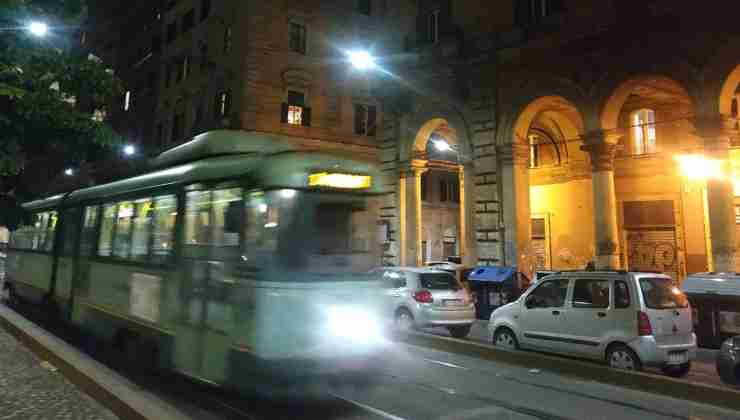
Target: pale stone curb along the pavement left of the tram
x=125 y=399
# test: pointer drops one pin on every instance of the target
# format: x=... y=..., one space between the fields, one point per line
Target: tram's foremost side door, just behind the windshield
x=211 y=248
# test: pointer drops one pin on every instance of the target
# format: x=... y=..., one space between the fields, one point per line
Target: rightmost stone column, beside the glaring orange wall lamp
x=716 y=133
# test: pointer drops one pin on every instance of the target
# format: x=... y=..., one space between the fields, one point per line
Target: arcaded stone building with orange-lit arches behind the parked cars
x=607 y=126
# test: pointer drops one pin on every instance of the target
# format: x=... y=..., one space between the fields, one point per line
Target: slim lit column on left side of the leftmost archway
x=409 y=195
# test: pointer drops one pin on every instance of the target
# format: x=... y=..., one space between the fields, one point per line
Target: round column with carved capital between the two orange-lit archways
x=602 y=147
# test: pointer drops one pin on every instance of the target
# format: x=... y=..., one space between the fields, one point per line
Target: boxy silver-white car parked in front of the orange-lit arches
x=627 y=319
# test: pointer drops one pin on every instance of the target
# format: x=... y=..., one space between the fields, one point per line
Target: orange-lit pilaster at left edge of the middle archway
x=514 y=164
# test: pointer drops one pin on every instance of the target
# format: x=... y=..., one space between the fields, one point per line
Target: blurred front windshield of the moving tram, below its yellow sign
x=313 y=232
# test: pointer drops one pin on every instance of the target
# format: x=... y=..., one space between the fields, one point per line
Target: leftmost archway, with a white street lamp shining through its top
x=435 y=198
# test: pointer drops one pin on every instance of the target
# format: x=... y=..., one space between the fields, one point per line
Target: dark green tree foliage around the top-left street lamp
x=49 y=89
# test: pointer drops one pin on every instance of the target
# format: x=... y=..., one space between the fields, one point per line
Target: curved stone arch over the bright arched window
x=611 y=103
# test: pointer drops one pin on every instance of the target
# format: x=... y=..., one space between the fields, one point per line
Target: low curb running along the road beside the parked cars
x=641 y=381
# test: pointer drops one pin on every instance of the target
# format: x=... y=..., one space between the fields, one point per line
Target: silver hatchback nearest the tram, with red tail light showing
x=424 y=297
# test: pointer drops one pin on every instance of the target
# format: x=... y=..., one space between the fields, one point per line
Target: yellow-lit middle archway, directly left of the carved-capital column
x=559 y=190
